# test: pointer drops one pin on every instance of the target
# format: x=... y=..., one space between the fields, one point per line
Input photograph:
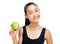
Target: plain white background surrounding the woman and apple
x=13 y=10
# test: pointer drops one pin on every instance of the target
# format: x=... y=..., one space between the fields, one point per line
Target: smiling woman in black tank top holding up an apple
x=32 y=32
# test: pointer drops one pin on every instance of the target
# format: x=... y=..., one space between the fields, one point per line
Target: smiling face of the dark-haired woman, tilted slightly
x=33 y=13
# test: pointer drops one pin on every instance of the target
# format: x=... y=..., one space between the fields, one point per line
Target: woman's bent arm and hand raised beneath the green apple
x=13 y=35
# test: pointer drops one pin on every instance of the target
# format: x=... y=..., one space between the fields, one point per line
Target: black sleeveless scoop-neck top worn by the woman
x=27 y=40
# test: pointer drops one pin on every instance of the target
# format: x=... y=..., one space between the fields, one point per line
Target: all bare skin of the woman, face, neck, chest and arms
x=33 y=29
